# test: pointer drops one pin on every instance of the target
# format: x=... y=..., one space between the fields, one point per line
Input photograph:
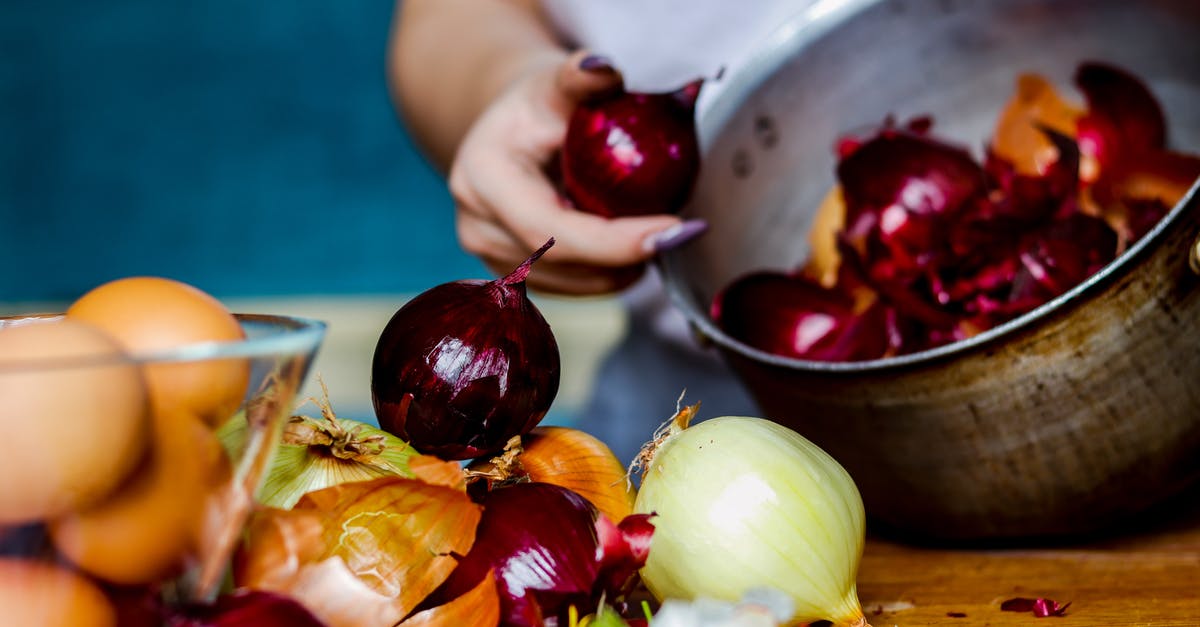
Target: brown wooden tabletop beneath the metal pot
x=1148 y=577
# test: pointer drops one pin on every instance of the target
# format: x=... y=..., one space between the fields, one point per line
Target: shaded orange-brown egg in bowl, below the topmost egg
x=146 y=532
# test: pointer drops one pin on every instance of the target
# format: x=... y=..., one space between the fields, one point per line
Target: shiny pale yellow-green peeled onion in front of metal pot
x=742 y=504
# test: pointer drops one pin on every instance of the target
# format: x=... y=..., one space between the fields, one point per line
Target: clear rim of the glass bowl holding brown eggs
x=278 y=335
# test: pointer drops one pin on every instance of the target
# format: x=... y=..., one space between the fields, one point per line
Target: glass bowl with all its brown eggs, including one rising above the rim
x=116 y=477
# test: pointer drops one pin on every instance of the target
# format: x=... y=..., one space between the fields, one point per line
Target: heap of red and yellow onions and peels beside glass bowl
x=387 y=527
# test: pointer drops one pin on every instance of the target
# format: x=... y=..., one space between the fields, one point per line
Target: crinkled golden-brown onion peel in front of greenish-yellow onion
x=363 y=553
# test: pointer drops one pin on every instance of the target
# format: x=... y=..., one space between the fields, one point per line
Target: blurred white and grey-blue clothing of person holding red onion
x=658 y=46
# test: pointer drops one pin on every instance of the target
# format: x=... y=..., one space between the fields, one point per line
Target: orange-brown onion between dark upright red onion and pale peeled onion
x=568 y=458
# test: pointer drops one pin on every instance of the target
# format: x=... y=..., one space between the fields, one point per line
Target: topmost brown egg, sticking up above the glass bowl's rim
x=151 y=315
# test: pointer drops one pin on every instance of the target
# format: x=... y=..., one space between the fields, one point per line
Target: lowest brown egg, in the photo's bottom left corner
x=45 y=595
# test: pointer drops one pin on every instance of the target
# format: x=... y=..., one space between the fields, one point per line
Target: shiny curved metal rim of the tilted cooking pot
x=778 y=50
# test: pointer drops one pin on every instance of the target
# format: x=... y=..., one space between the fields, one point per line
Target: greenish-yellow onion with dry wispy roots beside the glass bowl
x=317 y=453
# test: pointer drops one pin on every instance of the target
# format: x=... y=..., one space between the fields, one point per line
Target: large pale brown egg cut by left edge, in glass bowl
x=74 y=417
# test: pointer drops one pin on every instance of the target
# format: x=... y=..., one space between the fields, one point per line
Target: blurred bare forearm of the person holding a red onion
x=448 y=59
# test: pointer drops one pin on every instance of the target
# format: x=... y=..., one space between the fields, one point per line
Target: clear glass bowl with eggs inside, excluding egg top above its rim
x=130 y=503
